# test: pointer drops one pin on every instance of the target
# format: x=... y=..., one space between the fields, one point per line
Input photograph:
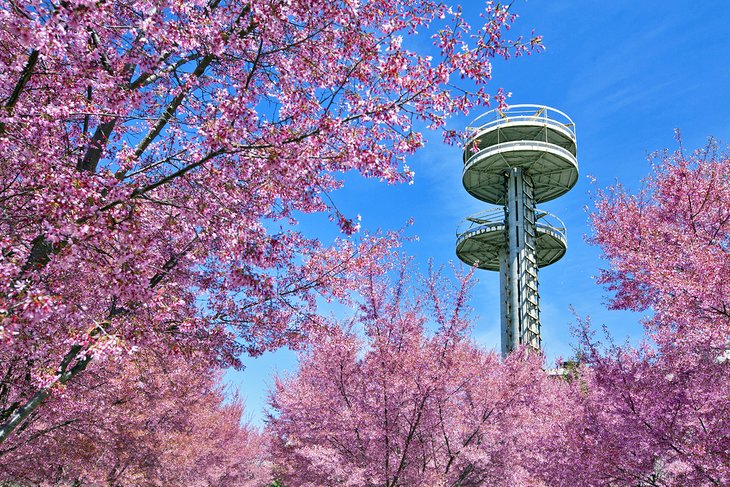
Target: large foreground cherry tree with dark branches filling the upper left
x=155 y=154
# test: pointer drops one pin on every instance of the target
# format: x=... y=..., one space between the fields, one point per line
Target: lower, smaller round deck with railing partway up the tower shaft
x=481 y=238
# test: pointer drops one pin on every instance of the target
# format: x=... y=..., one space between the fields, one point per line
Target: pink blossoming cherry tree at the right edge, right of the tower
x=659 y=413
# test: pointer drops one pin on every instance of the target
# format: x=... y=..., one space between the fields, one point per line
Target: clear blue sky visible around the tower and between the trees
x=628 y=73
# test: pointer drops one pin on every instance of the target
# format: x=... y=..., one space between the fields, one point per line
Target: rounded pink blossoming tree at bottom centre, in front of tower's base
x=382 y=402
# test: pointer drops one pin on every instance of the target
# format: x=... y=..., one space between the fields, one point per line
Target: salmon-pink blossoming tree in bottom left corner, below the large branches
x=158 y=421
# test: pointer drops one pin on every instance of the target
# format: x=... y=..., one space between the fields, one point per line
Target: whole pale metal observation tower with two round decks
x=517 y=158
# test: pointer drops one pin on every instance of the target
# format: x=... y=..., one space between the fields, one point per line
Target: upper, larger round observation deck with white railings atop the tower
x=539 y=139
